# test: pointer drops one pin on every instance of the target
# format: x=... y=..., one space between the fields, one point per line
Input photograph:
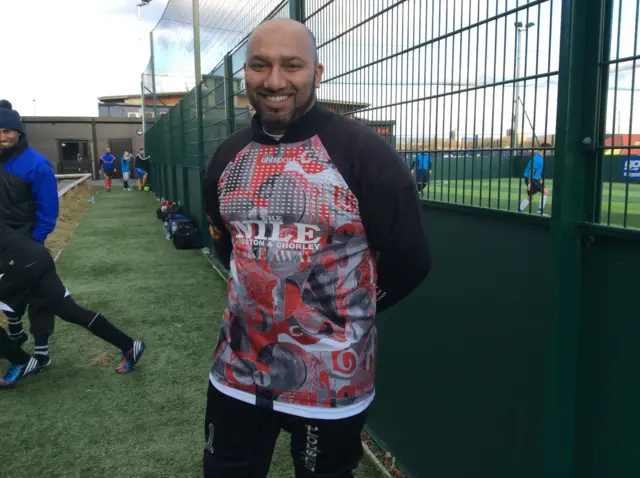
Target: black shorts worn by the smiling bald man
x=240 y=439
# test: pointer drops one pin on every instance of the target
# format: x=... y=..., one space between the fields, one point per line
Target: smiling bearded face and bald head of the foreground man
x=281 y=75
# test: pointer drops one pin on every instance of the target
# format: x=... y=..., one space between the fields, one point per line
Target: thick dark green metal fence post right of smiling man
x=581 y=39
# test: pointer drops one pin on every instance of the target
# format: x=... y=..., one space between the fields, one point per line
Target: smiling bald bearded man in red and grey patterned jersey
x=319 y=223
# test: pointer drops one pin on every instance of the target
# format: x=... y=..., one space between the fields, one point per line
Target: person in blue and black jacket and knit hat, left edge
x=28 y=196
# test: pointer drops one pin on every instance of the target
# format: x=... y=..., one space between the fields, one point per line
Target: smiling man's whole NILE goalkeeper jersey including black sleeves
x=300 y=222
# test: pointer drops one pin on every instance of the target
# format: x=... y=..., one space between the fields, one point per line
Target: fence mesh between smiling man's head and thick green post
x=470 y=84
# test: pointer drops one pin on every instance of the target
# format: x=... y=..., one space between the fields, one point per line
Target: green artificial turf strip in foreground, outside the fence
x=77 y=419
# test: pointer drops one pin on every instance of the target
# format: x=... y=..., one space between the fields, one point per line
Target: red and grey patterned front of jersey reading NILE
x=299 y=326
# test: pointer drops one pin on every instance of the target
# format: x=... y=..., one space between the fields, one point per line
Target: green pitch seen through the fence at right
x=507 y=193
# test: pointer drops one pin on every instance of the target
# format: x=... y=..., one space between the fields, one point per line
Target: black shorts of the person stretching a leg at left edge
x=28 y=277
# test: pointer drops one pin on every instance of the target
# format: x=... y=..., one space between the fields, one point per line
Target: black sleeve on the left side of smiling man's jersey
x=220 y=234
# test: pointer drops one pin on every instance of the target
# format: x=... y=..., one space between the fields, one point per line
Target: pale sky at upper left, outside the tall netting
x=67 y=53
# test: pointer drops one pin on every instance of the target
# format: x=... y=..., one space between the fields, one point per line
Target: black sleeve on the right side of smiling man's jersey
x=393 y=220
